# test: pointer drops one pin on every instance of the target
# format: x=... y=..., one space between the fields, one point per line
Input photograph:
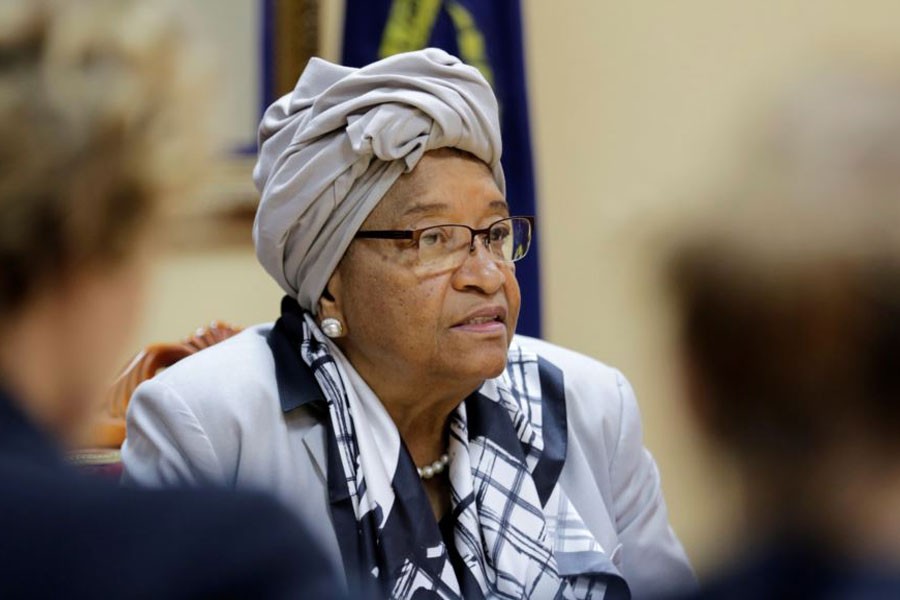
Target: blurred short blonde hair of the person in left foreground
x=101 y=116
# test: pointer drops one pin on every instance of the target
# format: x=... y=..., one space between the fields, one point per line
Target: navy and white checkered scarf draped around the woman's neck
x=512 y=521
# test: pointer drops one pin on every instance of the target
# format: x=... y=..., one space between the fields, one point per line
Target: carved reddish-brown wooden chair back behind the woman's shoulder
x=108 y=429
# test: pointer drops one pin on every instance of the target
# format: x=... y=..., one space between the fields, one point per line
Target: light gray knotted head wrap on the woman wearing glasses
x=331 y=149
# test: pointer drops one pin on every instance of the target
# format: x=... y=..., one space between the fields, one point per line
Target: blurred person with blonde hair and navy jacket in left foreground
x=96 y=127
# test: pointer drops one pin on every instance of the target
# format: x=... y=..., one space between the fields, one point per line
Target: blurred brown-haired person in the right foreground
x=789 y=306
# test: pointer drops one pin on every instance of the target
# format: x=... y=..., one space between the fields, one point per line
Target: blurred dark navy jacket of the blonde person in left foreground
x=63 y=534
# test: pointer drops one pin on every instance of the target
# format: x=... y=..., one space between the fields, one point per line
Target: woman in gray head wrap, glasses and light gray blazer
x=391 y=404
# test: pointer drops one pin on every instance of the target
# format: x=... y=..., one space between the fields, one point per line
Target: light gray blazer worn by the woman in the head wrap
x=221 y=417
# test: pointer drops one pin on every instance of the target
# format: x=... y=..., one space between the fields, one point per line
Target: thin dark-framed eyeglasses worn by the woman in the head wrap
x=446 y=246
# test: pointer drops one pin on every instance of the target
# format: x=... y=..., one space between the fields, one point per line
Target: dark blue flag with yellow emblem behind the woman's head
x=486 y=34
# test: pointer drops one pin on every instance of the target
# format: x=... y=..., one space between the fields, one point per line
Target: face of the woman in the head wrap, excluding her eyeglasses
x=420 y=325
